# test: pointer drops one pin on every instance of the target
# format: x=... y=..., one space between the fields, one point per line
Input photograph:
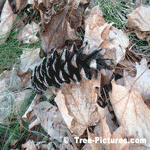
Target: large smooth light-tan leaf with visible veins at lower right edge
x=131 y=112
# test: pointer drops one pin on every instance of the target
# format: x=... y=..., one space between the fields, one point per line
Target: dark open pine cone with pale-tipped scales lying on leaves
x=68 y=65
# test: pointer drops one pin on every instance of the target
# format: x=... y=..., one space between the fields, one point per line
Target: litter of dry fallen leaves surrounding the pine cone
x=76 y=111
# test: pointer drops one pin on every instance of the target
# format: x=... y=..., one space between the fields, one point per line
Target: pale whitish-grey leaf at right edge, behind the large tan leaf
x=141 y=81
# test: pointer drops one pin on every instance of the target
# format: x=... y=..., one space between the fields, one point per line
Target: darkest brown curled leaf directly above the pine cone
x=57 y=31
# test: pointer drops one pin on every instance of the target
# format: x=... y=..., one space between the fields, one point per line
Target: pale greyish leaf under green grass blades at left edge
x=10 y=101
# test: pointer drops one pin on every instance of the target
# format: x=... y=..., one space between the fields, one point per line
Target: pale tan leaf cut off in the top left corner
x=7 y=21
